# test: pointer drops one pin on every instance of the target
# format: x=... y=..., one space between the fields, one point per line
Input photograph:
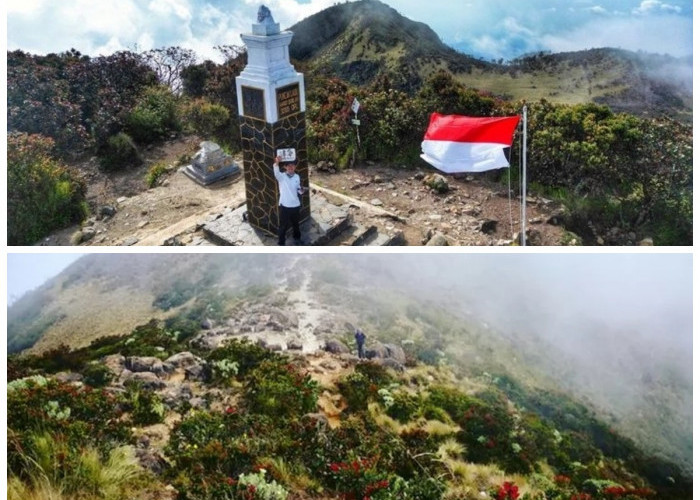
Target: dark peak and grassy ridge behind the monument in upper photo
x=360 y=41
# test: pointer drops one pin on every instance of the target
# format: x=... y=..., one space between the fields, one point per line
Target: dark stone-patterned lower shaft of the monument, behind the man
x=260 y=141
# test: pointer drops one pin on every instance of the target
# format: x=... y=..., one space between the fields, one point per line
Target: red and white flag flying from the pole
x=456 y=143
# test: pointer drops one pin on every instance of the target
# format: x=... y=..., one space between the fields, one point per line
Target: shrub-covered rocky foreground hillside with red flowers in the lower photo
x=151 y=415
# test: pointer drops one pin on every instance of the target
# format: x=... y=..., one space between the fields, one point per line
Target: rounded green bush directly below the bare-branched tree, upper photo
x=154 y=116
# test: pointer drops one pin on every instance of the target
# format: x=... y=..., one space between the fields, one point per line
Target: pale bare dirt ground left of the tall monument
x=127 y=212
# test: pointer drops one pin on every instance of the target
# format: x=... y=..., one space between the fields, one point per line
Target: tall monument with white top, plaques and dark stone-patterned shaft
x=272 y=109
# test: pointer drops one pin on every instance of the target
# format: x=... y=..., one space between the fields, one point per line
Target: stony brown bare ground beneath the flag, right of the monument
x=473 y=211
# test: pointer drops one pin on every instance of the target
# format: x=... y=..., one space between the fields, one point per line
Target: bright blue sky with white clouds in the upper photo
x=491 y=29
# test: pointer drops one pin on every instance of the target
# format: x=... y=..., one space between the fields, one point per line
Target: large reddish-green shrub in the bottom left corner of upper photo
x=42 y=195
